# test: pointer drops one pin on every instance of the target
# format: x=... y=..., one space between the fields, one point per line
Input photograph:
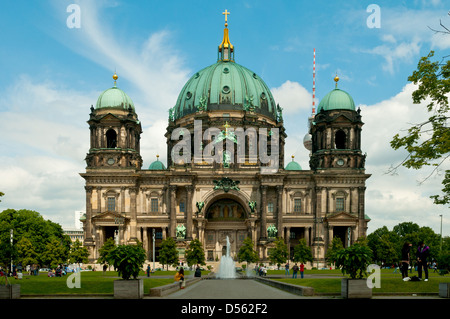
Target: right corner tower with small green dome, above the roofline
x=336 y=133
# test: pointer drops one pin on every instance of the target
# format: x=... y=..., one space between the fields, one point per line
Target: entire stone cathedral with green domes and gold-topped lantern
x=225 y=174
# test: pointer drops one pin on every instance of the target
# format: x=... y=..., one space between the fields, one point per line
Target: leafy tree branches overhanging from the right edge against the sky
x=428 y=143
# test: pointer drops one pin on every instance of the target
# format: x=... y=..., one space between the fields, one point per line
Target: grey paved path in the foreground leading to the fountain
x=231 y=289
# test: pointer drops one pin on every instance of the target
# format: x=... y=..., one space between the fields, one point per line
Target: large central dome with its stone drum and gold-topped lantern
x=225 y=102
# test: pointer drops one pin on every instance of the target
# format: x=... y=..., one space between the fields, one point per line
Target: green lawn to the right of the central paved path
x=390 y=283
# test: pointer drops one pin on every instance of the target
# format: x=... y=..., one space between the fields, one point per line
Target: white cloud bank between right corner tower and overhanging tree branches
x=392 y=199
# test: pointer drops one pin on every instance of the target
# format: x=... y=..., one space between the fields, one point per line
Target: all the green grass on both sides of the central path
x=324 y=282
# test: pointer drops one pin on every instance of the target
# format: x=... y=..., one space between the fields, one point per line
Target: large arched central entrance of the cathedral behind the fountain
x=226 y=216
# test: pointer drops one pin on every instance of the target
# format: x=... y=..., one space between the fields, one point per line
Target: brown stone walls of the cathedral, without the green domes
x=212 y=200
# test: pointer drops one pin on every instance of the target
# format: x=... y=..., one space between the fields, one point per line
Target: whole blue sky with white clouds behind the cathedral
x=51 y=74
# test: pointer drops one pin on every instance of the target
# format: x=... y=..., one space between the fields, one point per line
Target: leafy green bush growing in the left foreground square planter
x=128 y=260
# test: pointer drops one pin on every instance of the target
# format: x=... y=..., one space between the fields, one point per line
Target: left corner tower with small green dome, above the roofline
x=115 y=131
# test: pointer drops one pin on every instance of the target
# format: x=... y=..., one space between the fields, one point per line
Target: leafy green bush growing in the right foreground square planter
x=354 y=260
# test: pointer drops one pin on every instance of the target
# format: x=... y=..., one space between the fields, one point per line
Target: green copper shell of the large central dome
x=225 y=86
